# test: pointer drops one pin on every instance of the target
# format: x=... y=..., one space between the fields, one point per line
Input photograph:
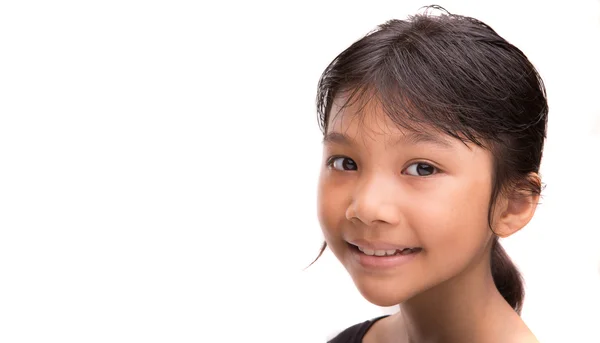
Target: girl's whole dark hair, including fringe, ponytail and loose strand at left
x=457 y=75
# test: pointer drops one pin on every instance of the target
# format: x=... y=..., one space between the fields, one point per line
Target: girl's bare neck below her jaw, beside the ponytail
x=466 y=308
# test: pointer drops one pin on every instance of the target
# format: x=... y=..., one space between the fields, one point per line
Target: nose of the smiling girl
x=375 y=202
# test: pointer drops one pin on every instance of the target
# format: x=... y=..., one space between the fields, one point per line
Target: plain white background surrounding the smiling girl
x=159 y=160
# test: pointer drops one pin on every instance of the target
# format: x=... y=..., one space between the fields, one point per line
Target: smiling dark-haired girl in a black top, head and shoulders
x=433 y=134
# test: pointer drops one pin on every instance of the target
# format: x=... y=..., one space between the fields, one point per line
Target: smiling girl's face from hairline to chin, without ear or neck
x=383 y=189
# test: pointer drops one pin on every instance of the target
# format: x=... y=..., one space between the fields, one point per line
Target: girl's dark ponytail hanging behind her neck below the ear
x=507 y=277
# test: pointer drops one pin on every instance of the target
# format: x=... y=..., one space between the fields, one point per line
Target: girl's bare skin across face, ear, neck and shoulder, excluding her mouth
x=382 y=188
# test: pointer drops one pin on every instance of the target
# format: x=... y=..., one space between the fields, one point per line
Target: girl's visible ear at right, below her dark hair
x=516 y=207
